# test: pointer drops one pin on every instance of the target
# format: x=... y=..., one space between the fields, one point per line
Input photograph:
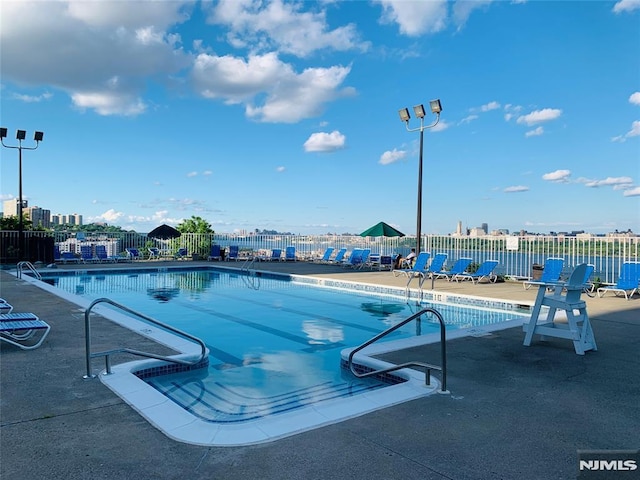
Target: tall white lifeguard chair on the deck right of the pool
x=566 y=297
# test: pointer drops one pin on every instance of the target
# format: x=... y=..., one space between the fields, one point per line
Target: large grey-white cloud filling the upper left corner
x=82 y=47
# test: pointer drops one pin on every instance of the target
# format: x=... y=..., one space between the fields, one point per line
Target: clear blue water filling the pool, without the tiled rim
x=274 y=344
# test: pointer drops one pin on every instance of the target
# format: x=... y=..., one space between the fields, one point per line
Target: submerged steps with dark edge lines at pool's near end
x=214 y=402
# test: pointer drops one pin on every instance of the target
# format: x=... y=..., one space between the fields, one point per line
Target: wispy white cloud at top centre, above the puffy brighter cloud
x=282 y=26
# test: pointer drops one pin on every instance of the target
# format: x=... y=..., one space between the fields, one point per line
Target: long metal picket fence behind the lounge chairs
x=516 y=255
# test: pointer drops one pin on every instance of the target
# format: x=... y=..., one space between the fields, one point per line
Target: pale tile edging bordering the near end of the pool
x=180 y=425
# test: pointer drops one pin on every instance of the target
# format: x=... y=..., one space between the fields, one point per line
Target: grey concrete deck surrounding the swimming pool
x=513 y=412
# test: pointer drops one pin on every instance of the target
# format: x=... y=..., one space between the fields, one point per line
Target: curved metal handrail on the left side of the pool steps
x=107 y=354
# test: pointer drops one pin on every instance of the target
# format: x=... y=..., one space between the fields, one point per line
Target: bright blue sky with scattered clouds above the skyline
x=284 y=115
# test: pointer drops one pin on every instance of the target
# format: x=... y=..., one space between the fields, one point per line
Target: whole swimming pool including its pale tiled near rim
x=275 y=348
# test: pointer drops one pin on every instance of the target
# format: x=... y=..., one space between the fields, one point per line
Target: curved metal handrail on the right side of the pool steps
x=428 y=367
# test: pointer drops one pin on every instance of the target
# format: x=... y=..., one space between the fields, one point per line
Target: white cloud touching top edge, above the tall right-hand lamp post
x=415 y=18
